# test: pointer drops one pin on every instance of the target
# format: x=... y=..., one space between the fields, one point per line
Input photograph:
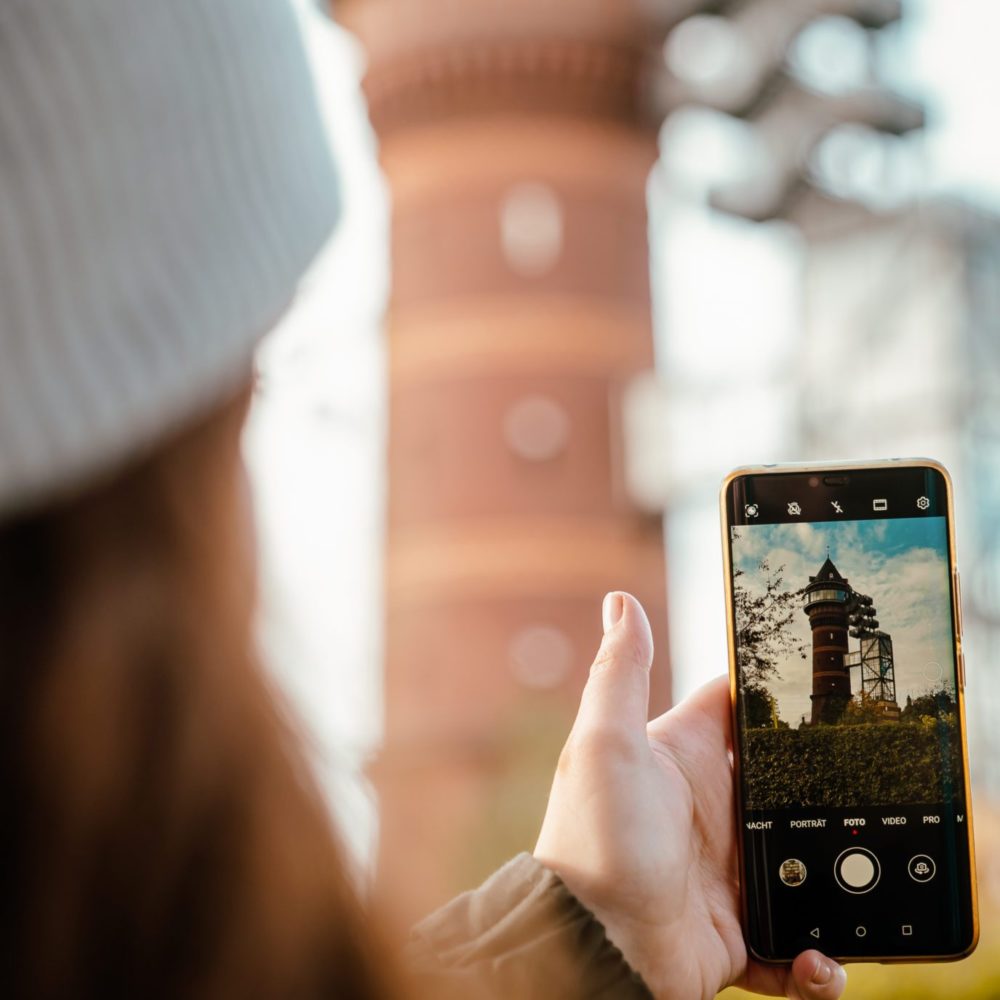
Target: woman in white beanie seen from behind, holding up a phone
x=163 y=185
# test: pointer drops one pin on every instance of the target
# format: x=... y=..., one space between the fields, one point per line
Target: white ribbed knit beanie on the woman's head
x=164 y=182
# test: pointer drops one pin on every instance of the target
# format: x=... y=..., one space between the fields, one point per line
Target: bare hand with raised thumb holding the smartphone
x=640 y=825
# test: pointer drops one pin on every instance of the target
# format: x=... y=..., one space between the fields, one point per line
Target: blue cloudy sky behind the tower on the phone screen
x=902 y=564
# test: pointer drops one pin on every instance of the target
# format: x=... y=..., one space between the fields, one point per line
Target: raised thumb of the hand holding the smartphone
x=616 y=696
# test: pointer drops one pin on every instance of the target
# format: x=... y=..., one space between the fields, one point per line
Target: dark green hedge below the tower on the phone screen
x=890 y=763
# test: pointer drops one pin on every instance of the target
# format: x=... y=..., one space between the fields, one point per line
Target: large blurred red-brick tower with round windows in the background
x=516 y=146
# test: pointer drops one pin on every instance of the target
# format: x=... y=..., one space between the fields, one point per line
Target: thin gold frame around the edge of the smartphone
x=954 y=585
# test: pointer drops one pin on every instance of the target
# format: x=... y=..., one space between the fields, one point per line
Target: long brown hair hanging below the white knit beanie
x=160 y=834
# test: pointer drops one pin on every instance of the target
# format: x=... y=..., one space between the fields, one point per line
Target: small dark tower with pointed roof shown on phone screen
x=827 y=603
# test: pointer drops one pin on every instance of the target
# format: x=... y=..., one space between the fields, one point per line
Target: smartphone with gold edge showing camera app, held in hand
x=847 y=672
